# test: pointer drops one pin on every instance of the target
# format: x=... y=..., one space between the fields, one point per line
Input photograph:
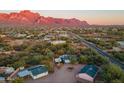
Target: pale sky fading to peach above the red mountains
x=100 y=17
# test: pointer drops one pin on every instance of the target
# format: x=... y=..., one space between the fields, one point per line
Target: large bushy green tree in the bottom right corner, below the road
x=112 y=73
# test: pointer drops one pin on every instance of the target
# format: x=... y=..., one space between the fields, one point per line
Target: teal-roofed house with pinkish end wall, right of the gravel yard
x=87 y=73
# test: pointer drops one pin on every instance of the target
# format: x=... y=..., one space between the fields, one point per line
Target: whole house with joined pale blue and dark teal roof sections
x=35 y=72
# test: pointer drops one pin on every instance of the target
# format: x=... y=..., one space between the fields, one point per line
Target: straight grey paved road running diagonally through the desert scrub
x=100 y=51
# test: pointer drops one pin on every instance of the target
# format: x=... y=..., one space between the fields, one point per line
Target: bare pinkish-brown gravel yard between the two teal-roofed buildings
x=65 y=74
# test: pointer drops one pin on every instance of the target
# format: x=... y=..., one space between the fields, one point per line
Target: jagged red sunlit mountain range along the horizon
x=30 y=18
